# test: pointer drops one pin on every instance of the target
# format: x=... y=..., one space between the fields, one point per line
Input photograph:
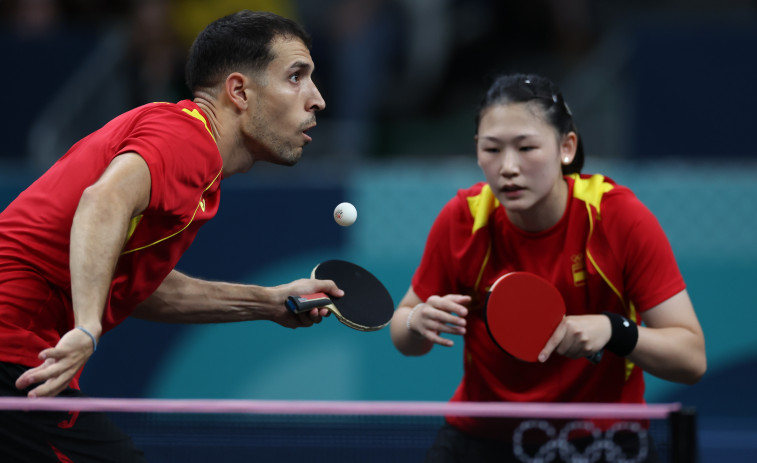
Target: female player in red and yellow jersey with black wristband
x=588 y=236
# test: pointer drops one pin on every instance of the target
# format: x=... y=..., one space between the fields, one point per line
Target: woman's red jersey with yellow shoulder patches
x=607 y=253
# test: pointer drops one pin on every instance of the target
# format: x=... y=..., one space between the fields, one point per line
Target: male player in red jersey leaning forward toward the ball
x=95 y=239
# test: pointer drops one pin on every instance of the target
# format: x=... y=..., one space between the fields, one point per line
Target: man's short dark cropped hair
x=238 y=42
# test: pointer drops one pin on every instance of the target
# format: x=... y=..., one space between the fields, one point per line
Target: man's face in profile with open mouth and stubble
x=286 y=100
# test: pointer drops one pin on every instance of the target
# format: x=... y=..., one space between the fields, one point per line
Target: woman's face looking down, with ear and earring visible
x=521 y=156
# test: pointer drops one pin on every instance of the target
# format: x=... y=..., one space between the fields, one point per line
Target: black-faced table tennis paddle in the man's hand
x=366 y=304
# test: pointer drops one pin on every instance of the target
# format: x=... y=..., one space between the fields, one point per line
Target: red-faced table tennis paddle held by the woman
x=522 y=312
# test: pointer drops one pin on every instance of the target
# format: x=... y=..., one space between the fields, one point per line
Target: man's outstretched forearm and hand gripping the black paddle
x=183 y=299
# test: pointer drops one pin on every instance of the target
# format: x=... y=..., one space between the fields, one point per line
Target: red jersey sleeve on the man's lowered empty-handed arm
x=180 y=154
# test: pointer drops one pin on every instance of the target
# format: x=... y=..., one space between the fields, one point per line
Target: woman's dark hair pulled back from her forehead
x=535 y=89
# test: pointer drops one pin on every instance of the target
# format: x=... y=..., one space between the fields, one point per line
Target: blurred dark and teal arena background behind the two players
x=663 y=93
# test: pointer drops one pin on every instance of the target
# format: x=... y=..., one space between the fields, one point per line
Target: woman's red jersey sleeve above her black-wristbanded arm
x=650 y=270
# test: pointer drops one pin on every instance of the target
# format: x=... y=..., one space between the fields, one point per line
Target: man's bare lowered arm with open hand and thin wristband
x=98 y=233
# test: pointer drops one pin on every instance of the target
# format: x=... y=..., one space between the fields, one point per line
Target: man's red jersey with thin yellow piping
x=176 y=142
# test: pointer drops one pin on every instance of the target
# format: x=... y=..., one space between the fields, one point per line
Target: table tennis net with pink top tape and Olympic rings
x=329 y=431
